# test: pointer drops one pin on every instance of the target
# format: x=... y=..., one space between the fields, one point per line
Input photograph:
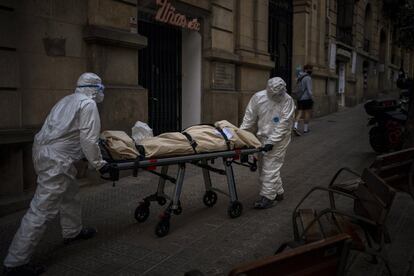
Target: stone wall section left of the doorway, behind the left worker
x=44 y=47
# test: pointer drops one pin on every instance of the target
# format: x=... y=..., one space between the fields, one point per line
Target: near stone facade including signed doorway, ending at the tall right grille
x=174 y=73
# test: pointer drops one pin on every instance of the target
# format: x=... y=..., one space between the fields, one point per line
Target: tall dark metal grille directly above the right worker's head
x=280 y=39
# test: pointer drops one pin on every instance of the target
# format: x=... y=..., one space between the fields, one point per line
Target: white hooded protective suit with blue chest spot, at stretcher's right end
x=271 y=111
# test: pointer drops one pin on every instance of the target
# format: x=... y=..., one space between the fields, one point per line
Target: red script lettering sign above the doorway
x=166 y=13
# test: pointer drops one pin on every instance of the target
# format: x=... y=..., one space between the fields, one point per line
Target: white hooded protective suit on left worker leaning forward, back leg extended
x=70 y=132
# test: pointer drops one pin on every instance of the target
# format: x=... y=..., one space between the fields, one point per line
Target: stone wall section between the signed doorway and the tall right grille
x=238 y=31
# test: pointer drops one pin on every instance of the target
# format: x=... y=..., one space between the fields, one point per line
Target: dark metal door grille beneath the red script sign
x=160 y=73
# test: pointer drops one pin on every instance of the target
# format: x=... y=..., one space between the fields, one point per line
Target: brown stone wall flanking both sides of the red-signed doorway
x=48 y=44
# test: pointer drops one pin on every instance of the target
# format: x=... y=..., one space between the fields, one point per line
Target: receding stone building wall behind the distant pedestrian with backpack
x=316 y=42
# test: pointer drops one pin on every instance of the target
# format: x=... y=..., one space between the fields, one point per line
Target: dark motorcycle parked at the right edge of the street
x=388 y=121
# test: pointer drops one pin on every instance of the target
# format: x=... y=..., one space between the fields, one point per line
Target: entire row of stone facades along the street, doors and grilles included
x=174 y=63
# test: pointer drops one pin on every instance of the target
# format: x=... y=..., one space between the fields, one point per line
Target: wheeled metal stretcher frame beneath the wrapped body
x=202 y=160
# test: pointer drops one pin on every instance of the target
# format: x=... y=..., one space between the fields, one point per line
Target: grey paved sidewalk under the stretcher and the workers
x=206 y=238
